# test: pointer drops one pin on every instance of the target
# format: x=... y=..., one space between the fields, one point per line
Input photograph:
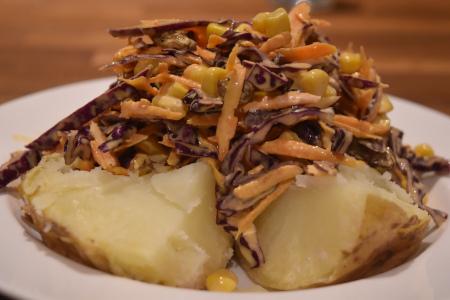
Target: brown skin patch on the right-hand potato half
x=388 y=238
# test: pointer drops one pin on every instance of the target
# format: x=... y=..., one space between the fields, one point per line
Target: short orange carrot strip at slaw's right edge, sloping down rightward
x=359 y=127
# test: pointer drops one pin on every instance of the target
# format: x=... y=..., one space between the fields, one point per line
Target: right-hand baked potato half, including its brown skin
x=327 y=230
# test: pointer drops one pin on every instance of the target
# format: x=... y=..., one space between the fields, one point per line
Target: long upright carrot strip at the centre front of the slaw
x=227 y=124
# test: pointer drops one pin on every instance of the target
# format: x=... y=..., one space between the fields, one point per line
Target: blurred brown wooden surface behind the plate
x=46 y=43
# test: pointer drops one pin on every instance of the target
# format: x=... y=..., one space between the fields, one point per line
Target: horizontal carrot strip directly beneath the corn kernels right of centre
x=282 y=101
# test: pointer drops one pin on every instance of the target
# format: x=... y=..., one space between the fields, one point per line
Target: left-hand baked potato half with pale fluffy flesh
x=158 y=228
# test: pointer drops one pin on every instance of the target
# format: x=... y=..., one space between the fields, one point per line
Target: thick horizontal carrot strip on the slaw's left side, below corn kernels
x=144 y=109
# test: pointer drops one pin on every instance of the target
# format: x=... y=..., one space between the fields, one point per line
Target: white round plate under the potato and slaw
x=28 y=270
